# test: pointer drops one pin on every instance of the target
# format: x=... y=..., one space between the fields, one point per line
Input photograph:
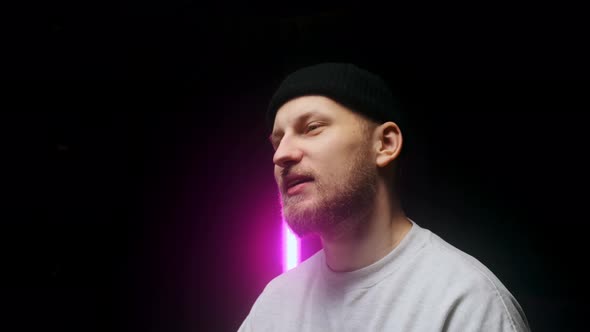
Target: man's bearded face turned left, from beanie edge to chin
x=324 y=166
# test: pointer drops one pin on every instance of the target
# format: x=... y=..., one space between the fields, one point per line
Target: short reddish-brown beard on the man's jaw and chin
x=336 y=206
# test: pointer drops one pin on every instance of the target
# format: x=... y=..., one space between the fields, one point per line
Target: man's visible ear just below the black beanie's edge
x=388 y=143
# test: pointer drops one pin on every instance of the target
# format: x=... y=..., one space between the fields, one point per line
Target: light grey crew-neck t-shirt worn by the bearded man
x=424 y=284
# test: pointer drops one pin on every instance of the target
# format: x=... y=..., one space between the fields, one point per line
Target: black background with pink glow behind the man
x=137 y=188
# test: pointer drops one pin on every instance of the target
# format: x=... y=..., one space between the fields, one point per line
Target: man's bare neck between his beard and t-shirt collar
x=368 y=238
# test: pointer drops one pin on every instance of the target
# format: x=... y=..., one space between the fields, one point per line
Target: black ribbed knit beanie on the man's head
x=355 y=88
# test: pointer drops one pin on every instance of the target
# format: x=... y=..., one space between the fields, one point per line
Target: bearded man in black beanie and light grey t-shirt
x=336 y=159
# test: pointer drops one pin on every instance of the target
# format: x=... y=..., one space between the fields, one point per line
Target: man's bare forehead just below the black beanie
x=310 y=106
